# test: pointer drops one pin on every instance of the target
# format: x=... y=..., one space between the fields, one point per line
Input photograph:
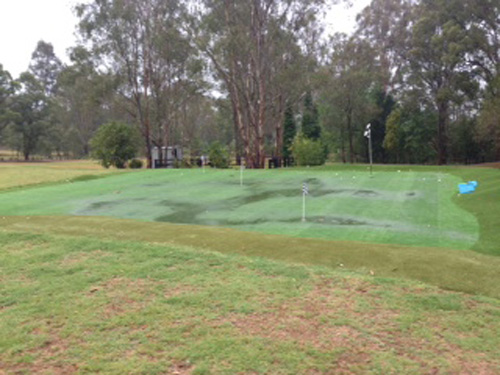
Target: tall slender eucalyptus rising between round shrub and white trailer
x=145 y=44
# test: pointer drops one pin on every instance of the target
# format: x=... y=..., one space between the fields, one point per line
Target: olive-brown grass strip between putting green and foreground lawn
x=465 y=271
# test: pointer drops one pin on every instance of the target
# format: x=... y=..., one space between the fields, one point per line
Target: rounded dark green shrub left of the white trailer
x=114 y=144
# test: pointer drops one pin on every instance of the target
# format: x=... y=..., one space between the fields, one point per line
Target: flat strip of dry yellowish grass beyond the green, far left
x=14 y=175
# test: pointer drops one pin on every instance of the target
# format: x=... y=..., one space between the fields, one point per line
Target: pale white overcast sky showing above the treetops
x=24 y=22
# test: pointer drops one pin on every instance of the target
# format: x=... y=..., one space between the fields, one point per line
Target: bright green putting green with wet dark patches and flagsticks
x=409 y=208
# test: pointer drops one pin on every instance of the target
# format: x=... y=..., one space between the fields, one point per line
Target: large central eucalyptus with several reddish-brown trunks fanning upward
x=258 y=50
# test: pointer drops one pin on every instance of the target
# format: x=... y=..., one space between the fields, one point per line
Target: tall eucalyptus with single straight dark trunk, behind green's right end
x=438 y=63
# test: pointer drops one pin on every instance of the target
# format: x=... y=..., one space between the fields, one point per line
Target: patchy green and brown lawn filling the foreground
x=84 y=306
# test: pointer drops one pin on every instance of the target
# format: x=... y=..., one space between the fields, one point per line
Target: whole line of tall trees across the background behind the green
x=259 y=78
